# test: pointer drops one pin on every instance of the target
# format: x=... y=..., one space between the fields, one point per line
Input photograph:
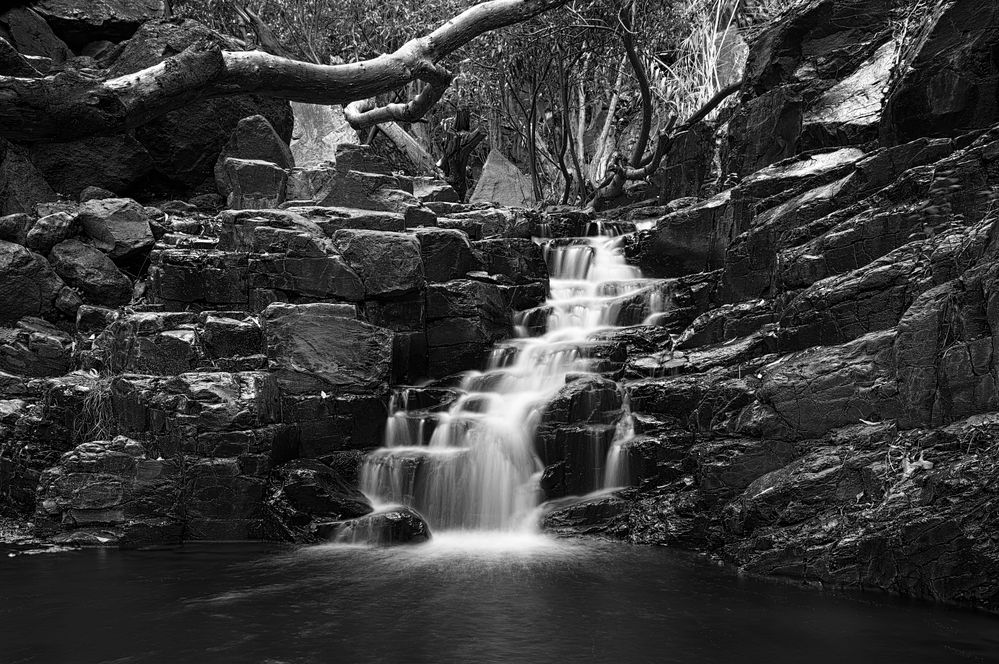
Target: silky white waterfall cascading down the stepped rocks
x=473 y=467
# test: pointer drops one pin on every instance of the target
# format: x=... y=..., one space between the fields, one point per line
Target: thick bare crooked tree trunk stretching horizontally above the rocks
x=68 y=105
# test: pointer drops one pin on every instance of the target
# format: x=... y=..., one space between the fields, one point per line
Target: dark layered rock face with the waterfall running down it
x=788 y=361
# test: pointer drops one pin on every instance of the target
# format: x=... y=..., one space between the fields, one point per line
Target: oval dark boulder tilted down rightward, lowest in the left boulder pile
x=88 y=269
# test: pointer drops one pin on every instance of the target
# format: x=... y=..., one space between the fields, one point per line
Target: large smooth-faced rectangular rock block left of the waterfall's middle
x=316 y=347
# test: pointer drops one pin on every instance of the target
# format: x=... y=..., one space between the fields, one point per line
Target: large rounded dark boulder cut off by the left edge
x=28 y=285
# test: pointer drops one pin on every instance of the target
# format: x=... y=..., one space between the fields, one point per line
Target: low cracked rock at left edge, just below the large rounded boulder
x=35 y=348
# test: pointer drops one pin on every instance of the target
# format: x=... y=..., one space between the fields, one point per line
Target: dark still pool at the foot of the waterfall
x=481 y=599
